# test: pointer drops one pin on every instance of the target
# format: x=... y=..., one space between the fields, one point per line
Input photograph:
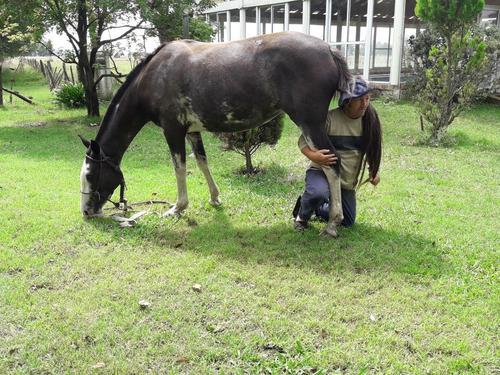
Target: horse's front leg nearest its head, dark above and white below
x=177 y=144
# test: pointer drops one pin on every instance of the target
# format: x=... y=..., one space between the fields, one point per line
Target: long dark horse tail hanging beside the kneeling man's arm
x=371 y=143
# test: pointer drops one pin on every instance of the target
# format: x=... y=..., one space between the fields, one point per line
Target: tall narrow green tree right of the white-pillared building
x=452 y=63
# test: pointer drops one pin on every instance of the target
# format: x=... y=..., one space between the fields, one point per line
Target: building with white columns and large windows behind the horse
x=370 y=33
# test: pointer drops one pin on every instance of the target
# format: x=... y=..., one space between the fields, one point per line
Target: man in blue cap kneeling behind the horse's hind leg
x=355 y=132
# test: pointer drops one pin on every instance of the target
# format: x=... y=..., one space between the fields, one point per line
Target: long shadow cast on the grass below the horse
x=362 y=248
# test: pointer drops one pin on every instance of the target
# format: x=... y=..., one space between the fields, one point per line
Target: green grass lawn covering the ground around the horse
x=412 y=288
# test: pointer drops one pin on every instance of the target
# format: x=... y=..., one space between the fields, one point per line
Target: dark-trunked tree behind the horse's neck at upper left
x=84 y=23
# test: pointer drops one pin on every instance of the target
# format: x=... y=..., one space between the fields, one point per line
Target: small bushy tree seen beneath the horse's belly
x=247 y=142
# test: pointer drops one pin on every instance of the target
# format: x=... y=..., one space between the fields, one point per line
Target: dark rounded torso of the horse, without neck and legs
x=238 y=85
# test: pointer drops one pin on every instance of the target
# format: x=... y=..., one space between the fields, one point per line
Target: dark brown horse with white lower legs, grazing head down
x=186 y=87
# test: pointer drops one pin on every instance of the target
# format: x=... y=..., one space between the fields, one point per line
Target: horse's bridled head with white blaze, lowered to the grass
x=99 y=178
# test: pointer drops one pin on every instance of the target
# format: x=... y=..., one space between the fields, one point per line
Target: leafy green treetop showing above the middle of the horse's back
x=166 y=17
